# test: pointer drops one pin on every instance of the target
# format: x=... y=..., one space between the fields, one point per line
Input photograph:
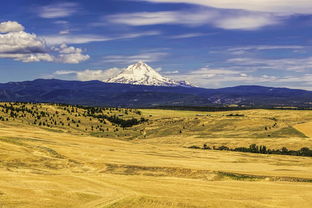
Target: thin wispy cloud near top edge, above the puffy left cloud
x=58 y=10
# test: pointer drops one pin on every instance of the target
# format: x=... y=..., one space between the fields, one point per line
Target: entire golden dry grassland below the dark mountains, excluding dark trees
x=148 y=165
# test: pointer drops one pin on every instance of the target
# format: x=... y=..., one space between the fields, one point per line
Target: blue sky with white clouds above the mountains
x=210 y=43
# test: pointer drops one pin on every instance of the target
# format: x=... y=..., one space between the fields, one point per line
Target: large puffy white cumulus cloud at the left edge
x=26 y=47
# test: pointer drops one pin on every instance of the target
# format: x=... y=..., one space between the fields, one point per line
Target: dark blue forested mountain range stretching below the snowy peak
x=97 y=93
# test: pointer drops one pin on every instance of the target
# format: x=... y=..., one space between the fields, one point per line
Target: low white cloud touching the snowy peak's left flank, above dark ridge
x=89 y=74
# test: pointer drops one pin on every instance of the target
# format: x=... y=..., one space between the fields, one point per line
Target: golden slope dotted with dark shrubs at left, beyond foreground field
x=70 y=119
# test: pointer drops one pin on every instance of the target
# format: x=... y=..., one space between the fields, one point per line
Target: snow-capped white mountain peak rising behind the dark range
x=142 y=74
